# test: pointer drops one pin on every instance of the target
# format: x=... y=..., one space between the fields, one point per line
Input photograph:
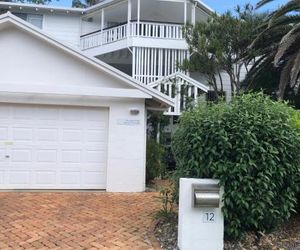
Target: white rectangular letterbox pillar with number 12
x=201 y=222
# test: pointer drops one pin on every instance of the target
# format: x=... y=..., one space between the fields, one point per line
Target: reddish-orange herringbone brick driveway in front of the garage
x=76 y=220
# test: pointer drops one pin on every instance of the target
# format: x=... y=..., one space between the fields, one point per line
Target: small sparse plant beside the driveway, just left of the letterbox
x=166 y=197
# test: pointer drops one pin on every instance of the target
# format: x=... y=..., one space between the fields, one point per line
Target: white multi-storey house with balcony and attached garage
x=76 y=84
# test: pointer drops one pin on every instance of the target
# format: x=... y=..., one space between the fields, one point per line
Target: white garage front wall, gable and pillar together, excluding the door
x=28 y=61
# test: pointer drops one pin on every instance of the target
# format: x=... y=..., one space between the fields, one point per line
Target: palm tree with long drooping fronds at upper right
x=278 y=43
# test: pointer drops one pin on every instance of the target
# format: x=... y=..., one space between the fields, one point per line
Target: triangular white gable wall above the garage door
x=46 y=65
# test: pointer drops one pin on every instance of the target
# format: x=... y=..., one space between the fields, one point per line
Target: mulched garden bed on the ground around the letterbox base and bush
x=285 y=238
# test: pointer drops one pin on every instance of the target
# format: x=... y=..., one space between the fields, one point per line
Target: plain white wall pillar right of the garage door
x=127 y=148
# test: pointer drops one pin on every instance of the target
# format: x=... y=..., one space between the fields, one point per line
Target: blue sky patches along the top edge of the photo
x=219 y=5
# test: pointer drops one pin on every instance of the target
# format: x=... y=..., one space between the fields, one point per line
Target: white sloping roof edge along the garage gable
x=93 y=62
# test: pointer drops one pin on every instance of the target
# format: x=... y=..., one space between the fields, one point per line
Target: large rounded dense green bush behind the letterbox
x=253 y=148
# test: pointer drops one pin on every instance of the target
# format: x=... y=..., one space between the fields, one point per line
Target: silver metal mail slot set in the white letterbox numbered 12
x=206 y=195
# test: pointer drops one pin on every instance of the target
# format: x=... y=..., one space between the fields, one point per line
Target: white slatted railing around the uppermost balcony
x=133 y=29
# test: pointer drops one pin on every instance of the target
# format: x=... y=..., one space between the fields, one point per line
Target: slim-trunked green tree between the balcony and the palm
x=220 y=44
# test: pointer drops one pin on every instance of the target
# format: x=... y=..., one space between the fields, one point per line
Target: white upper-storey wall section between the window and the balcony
x=64 y=27
